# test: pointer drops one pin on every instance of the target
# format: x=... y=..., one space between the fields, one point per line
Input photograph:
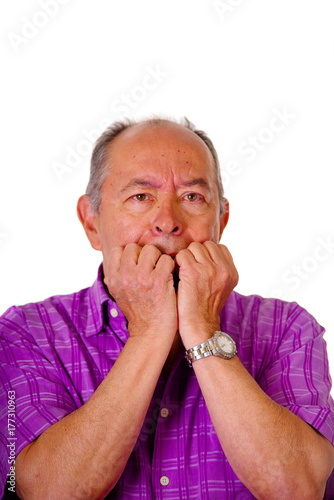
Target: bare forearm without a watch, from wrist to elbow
x=83 y=455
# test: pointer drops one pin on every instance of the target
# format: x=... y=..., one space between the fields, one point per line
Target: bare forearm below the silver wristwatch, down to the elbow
x=273 y=452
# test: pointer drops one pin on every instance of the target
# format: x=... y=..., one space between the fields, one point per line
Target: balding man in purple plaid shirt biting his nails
x=106 y=404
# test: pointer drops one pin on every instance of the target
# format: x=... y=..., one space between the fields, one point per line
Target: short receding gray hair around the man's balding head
x=100 y=161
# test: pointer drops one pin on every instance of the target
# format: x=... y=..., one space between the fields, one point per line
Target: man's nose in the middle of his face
x=167 y=220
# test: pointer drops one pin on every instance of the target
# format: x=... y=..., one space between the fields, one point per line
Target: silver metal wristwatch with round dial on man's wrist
x=220 y=344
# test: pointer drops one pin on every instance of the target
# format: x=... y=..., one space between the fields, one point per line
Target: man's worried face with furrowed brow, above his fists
x=161 y=190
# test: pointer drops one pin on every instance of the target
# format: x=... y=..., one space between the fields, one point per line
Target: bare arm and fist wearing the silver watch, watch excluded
x=273 y=452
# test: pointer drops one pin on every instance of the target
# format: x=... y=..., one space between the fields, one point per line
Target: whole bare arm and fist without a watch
x=83 y=455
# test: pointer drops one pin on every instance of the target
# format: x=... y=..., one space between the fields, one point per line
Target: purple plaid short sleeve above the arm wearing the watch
x=297 y=376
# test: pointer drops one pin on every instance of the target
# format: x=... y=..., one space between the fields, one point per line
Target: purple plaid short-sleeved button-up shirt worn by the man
x=55 y=353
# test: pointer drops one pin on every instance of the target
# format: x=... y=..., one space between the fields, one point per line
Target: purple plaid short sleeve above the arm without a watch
x=32 y=396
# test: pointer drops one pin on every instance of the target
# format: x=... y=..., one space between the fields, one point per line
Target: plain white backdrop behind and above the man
x=257 y=75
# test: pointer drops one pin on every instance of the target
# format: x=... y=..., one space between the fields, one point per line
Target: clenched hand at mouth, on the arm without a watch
x=141 y=281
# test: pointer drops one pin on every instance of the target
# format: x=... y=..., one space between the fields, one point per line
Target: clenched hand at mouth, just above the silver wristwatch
x=207 y=277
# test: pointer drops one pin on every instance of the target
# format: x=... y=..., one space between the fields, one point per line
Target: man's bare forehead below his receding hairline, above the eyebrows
x=165 y=147
